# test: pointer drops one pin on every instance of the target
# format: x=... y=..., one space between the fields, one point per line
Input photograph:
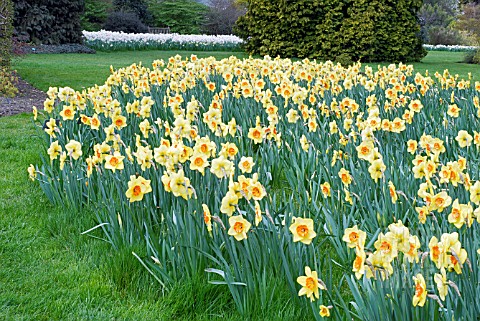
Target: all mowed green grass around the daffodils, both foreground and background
x=49 y=271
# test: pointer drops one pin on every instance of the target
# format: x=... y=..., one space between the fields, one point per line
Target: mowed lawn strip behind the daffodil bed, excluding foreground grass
x=82 y=71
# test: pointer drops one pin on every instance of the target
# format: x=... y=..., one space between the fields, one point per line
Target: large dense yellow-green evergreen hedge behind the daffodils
x=345 y=30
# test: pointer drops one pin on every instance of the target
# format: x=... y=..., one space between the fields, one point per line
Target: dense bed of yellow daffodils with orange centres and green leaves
x=356 y=188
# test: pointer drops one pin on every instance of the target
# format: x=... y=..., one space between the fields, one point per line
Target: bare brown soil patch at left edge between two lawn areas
x=27 y=97
